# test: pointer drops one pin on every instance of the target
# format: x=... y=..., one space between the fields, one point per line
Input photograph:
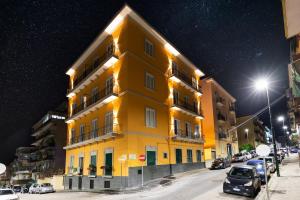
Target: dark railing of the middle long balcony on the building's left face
x=101 y=94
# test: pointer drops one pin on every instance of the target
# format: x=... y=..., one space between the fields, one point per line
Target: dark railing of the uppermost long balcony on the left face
x=90 y=69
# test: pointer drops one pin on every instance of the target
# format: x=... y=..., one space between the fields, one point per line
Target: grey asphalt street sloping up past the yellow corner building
x=200 y=184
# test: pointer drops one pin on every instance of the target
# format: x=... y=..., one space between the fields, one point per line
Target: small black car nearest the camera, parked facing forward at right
x=243 y=180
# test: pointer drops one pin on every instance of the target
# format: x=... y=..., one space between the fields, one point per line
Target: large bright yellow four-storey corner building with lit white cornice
x=132 y=94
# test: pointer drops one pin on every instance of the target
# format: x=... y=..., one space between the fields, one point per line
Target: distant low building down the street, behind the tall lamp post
x=250 y=131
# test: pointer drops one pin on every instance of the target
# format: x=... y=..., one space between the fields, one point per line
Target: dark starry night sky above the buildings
x=233 y=41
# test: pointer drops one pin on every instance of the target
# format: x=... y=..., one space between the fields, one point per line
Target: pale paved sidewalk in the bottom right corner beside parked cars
x=286 y=186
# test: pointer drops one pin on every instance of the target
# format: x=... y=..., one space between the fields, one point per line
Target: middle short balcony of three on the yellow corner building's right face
x=187 y=108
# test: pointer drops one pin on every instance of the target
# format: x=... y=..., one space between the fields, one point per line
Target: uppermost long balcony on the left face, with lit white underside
x=90 y=73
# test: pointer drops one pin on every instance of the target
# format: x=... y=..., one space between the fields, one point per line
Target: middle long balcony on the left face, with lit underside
x=95 y=101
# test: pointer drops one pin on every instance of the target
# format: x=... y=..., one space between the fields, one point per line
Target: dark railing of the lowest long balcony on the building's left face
x=106 y=130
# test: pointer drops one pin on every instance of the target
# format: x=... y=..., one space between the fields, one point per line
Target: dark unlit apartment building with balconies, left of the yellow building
x=46 y=156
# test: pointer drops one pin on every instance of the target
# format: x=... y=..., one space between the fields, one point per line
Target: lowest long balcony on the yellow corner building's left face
x=100 y=134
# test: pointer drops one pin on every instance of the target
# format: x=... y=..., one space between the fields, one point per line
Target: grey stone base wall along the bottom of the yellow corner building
x=133 y=180
